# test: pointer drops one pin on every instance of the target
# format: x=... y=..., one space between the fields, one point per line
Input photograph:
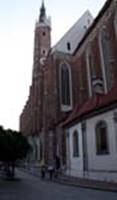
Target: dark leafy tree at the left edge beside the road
x=13 y=147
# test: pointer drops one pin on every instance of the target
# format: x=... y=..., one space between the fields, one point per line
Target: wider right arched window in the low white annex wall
x=101 y=138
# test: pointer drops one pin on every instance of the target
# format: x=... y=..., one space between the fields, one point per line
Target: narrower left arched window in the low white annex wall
x=75 y=144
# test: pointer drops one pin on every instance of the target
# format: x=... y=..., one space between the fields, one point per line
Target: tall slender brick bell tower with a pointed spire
x=42 y=45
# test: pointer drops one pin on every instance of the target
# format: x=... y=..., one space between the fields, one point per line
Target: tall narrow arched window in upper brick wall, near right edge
x=106 y=56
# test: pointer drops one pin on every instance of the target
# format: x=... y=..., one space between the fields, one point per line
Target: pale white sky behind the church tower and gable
x=17 y=23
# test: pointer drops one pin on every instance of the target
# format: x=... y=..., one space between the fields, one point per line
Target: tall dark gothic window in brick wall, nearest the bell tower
x=65 y=85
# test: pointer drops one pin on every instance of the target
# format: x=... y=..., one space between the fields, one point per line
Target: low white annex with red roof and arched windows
x=92 y=139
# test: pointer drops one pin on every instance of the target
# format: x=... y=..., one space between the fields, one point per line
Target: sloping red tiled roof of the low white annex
x=92 y=104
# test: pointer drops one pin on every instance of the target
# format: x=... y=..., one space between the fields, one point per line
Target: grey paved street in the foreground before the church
x=32 y=188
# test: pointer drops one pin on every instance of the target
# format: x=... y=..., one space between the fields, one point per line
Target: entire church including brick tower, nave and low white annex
x=70 y=116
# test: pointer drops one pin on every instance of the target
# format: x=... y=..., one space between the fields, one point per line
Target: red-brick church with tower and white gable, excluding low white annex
x=67 y=75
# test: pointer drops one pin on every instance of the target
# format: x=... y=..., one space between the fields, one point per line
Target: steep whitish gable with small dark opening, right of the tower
x=69 y=42
